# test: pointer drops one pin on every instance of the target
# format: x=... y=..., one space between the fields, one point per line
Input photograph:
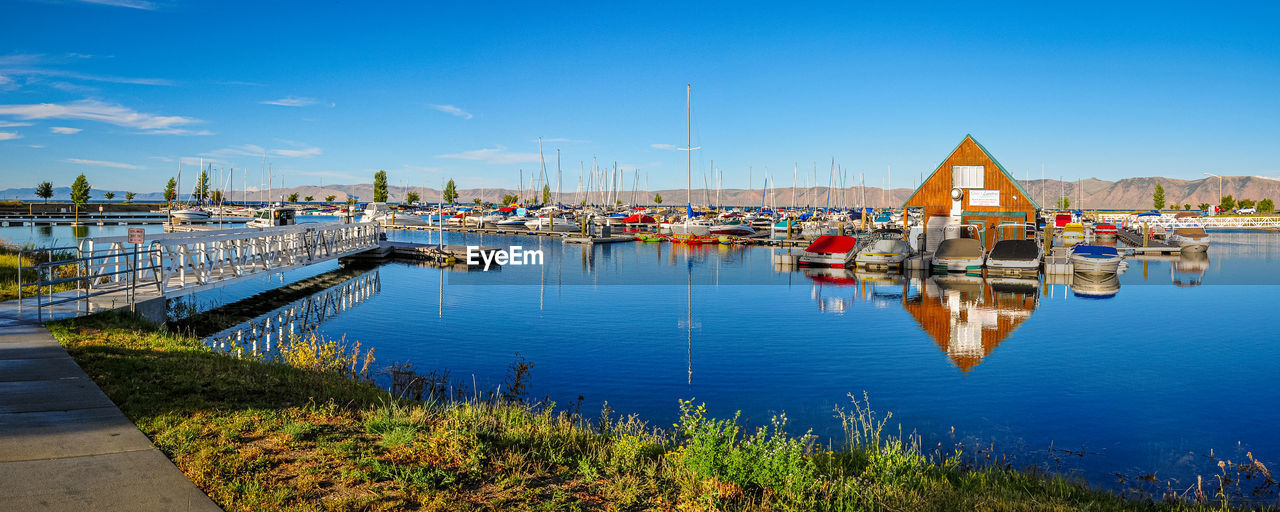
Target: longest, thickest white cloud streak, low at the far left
x=104 y=113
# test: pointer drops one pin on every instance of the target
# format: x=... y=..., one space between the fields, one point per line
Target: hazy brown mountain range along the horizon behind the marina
x=1090 y=194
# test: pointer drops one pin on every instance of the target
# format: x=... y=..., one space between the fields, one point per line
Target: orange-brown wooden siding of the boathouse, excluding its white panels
x=935 y=195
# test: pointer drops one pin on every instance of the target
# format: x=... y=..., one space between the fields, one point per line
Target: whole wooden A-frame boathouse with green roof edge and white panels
x=989 y=195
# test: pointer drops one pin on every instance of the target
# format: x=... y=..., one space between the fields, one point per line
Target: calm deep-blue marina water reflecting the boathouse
x=1180 y=359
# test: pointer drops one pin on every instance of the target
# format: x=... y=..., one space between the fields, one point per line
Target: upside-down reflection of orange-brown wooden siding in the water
x=934 y=316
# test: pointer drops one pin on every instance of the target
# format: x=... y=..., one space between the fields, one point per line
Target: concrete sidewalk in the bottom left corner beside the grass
x=66 y=447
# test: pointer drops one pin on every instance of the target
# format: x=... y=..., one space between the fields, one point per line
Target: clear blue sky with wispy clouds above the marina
x=428 y=92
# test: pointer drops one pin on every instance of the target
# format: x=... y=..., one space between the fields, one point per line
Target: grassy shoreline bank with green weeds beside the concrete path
x=269 y=436
